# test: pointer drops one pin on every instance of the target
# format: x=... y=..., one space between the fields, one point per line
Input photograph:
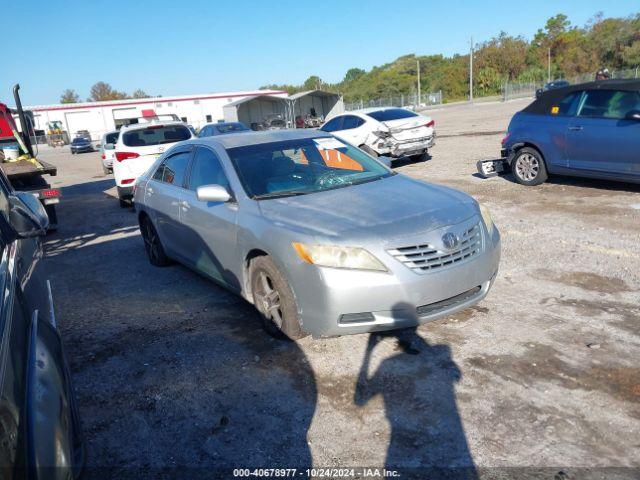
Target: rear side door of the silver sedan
x=162 y=196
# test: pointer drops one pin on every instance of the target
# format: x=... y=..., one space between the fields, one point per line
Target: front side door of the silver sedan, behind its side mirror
x=209 y=229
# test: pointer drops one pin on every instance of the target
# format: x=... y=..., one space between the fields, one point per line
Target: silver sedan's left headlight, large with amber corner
x=338 y=257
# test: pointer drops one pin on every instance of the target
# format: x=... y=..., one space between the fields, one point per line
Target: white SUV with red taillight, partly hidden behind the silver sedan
x=138 y=147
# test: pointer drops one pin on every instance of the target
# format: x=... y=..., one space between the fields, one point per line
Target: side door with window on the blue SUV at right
x=600 y=138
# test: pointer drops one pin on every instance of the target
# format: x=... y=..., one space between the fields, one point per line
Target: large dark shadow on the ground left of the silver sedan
x=175 y=376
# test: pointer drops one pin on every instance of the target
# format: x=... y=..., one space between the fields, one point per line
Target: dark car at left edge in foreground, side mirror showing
x=39 y=424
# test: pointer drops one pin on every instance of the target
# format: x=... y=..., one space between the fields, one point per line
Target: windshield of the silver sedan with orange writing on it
x=298 y=167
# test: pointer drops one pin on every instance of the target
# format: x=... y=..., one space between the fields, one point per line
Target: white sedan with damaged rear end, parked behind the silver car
x=389 y=131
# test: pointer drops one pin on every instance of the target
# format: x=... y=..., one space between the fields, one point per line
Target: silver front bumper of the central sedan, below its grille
x=340 y=302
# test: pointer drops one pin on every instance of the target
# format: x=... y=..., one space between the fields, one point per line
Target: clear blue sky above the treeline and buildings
x=173 y=47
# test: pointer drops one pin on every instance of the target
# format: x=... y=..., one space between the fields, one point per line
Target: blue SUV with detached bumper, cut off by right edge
x=587 y=130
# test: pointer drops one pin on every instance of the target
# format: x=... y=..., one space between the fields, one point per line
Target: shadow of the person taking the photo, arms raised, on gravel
x=418 y=389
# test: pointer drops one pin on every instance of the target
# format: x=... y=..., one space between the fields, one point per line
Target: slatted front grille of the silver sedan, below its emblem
x=426 y=257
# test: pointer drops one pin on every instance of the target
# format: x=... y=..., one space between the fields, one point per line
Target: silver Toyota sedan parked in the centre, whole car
x=322 y=238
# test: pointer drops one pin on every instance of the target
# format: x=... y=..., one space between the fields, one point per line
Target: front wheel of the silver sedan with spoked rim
x=274 y=299
